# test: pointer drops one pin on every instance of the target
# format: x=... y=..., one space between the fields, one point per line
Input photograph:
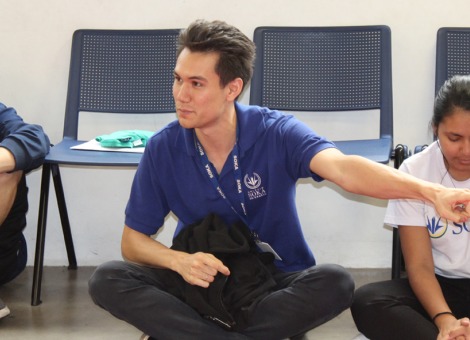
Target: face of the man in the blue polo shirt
x=200 y=100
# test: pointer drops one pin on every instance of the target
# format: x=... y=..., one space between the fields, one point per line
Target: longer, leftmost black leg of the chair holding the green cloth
x=41 y=235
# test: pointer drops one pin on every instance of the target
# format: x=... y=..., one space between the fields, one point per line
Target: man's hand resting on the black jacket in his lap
x=200 y=269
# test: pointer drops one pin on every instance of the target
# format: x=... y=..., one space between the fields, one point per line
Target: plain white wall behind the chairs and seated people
x=35 y=39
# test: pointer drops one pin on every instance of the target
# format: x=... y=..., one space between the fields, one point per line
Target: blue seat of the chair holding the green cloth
x=62 y=154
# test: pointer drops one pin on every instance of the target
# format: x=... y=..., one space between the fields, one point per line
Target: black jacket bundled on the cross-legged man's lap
x=227 y=300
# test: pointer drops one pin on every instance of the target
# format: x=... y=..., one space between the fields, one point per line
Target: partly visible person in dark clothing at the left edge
x=23 y=148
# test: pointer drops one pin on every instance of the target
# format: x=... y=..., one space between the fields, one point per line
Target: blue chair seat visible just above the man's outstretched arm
x=377 y=150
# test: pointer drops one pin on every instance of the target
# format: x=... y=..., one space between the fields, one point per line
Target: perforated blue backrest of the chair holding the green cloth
x=120 y=71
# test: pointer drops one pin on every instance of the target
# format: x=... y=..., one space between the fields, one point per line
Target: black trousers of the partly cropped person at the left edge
x=13 y=253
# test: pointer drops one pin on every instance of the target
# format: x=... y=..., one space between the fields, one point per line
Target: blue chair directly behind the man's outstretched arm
x=328 y=69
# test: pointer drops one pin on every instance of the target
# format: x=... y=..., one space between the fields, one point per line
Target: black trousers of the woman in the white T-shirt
x=390 y=309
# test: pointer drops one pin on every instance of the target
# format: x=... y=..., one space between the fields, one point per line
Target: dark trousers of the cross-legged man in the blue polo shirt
x=303 y=301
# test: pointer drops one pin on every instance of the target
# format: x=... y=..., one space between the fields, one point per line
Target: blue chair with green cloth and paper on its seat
x=111 y=71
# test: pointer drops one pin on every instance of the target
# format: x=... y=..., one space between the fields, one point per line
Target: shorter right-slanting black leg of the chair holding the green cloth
x=64 y=216
